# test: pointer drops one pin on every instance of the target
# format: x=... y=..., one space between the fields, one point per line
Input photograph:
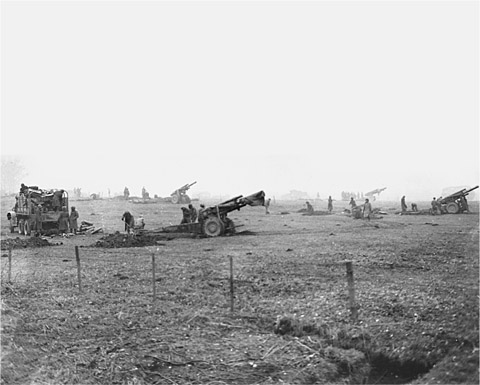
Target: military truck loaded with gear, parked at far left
x=34 y=205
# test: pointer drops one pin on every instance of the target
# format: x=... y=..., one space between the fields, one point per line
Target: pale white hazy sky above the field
x=242 y=96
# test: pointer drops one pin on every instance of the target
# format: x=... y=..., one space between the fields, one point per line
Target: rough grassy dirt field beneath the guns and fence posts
x=416 y=291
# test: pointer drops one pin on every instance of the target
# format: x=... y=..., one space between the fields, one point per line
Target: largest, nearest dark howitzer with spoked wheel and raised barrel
x=214 y=221
